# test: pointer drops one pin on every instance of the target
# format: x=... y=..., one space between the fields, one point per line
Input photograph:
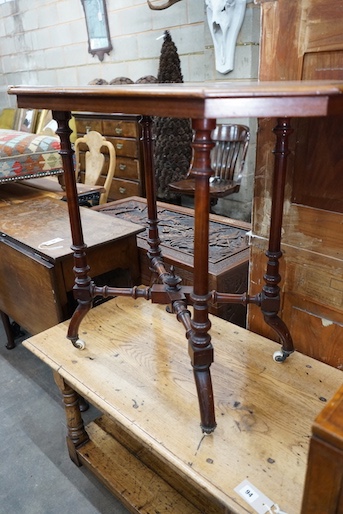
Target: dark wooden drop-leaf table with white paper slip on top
x=36 y=265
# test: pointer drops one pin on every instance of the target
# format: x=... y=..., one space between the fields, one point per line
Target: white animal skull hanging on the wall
x=225 y=18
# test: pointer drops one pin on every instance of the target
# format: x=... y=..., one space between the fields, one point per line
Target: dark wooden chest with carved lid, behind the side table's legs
x=228 y=252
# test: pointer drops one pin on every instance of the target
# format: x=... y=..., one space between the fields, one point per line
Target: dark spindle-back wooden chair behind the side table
x=227 y=162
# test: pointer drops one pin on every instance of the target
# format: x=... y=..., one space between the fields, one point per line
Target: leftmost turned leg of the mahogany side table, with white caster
x=82 y=287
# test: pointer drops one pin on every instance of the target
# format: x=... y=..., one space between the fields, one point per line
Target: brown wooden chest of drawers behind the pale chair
x=124 y=132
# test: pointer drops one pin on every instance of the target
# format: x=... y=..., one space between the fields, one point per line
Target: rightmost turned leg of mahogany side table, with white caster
x=270 y=297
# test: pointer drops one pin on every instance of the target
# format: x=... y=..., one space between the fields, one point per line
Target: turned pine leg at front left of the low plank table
x=77 y=435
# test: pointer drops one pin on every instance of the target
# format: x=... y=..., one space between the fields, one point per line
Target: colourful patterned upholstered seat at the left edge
x=24 y=155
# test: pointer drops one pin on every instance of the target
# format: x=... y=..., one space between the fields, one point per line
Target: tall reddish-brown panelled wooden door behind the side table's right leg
x=304 y=40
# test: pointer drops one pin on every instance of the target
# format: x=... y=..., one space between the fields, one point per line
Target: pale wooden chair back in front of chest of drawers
x=94 y=161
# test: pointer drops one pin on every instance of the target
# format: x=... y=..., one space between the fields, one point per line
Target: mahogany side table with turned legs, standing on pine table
x=203 y=103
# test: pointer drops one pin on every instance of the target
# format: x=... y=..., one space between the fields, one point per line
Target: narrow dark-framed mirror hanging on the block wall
x=99 y=42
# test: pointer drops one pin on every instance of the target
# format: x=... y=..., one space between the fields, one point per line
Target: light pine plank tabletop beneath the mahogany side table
x=142 y=378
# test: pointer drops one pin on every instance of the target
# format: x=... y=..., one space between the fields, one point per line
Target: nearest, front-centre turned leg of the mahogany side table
x=200 y=346
